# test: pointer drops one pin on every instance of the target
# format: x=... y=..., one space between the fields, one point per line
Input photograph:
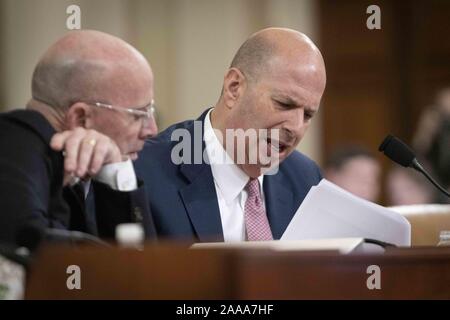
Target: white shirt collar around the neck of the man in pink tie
x=230 y=179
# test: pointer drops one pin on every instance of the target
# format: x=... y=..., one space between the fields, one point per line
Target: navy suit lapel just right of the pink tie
x=279 y=203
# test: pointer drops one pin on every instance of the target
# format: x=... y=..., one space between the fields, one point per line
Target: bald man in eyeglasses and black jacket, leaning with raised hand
x=90 y=114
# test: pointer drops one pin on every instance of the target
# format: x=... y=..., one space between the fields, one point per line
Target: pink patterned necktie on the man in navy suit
x=256 y=223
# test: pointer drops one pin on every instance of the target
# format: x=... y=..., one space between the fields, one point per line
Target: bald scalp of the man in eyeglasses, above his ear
x=90 y=66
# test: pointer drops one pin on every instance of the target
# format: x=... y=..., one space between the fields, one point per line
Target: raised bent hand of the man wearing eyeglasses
x=85 y=151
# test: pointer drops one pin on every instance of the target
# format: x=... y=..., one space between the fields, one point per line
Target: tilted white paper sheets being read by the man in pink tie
x=331 y=212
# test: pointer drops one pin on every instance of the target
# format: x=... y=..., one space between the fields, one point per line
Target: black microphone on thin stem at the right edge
x=401 y=153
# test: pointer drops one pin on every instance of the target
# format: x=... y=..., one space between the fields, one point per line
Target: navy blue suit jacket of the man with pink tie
x=183 y=198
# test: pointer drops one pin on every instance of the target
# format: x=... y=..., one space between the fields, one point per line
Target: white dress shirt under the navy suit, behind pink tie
x=229 y=181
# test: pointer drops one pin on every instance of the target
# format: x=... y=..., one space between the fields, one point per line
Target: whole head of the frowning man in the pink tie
x=274 y=84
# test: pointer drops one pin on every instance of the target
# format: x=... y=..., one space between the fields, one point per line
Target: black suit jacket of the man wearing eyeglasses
x=31 y=192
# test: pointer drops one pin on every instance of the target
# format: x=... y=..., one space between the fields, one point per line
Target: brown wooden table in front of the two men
x=171 y=271
